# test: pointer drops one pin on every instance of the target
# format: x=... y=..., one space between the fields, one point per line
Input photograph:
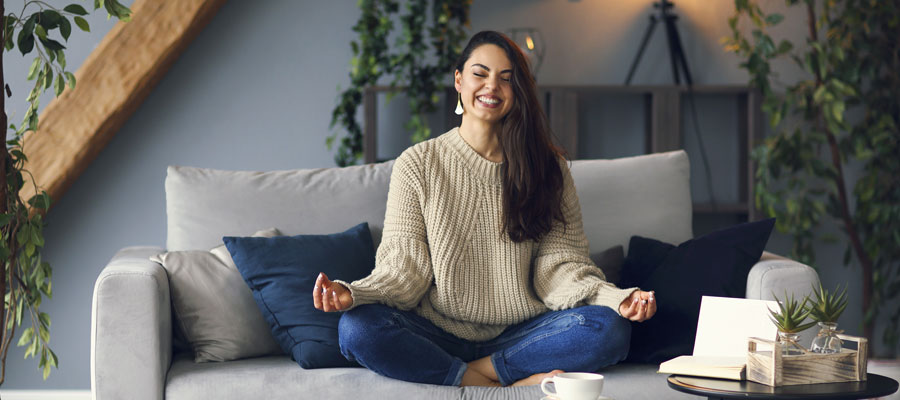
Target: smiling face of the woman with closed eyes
x=485 y=84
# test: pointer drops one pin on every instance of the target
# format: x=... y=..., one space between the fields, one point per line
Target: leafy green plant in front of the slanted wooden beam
x=26 y=279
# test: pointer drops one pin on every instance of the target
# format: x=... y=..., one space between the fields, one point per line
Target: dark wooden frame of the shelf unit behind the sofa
x=662 y=112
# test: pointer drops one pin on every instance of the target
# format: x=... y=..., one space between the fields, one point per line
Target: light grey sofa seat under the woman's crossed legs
x=280 y=379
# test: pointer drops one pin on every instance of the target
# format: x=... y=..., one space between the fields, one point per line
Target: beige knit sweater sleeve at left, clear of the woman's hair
x=403 y=272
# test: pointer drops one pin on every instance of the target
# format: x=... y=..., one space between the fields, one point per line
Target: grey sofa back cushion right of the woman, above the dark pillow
x=648 y=195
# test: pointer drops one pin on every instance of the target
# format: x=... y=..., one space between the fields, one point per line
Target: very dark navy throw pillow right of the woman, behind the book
x=715 y=264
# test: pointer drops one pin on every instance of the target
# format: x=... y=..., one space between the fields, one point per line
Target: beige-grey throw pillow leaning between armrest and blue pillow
x=214 y=308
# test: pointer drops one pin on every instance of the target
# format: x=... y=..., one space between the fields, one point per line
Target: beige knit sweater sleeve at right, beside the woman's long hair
x=564 y=275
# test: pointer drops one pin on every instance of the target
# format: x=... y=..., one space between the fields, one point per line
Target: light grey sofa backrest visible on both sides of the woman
x=646 y=195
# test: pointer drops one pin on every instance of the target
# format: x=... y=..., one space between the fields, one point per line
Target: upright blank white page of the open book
x=725 y=324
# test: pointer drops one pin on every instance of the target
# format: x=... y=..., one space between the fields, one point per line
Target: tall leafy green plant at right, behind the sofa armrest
x=843 y=115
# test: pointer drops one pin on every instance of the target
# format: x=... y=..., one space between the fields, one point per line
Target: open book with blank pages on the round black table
x=720 y=347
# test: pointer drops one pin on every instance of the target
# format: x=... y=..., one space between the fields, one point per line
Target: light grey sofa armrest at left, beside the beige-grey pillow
x=131 y=327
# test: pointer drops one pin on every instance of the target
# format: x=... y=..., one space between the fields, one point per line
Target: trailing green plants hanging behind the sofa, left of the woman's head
x=419 y=63
